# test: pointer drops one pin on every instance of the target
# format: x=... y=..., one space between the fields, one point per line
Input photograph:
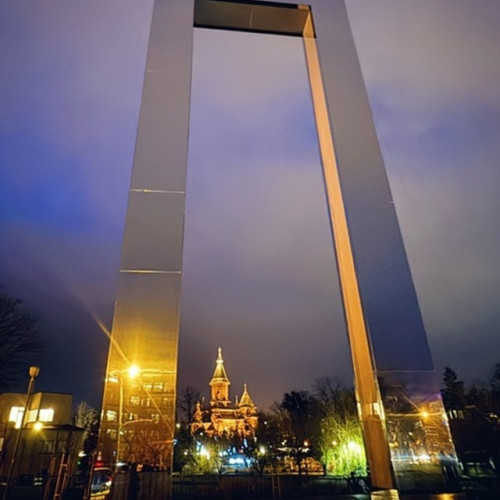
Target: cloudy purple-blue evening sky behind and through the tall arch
x=259 y=275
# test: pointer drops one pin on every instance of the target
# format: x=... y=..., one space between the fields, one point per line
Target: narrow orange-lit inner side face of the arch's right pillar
x=366 y=384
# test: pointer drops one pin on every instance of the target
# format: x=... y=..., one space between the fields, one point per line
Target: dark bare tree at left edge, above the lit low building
x=20 y=342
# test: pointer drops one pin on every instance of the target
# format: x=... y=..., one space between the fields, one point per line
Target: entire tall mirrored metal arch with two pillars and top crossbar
x=394 y=377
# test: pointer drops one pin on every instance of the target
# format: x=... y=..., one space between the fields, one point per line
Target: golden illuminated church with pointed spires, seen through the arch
x=224 y=418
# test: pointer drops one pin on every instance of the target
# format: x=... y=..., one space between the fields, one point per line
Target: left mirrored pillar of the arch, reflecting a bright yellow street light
x=137 y=421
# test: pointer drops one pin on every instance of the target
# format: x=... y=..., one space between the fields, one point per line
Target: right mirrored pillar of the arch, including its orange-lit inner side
x=398 y=395
